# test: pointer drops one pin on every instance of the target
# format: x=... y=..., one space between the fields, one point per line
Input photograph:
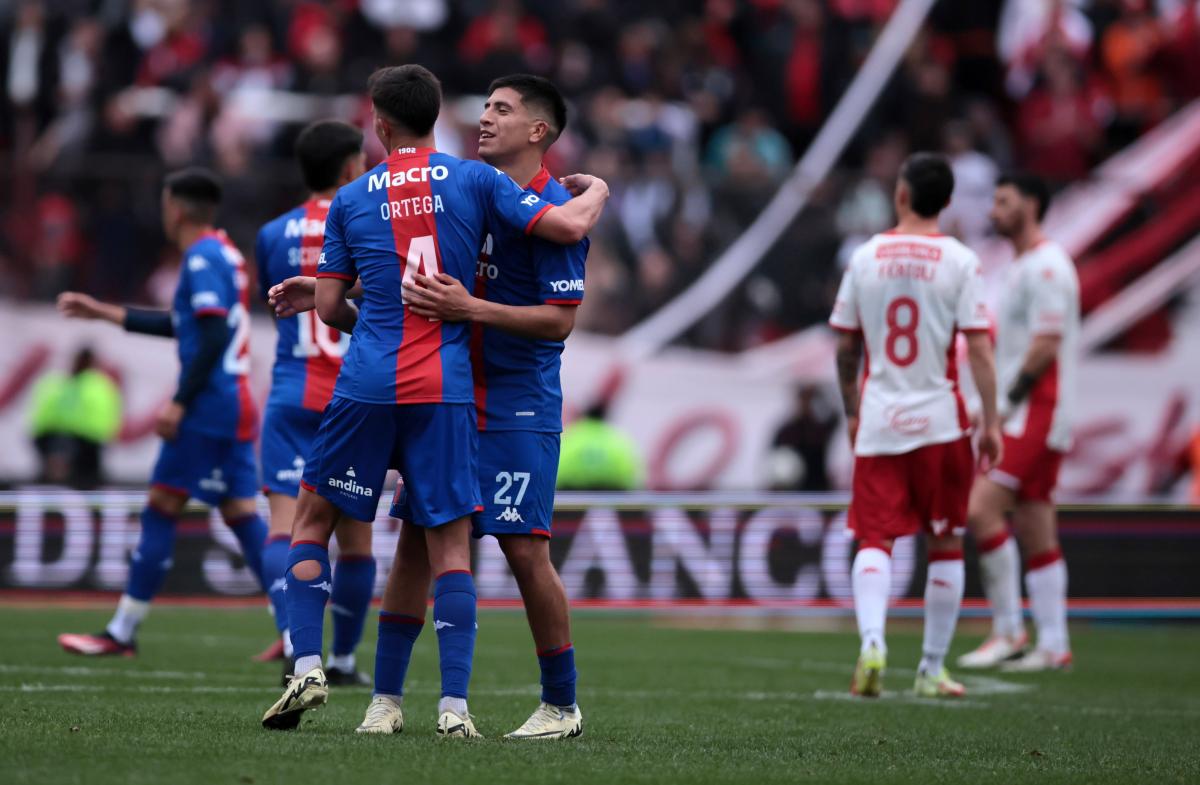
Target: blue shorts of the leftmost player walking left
x=208 y=469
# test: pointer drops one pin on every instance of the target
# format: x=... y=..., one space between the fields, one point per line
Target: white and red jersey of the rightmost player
x=1041 y=298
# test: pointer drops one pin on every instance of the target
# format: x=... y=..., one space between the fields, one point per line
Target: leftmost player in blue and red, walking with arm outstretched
x=211 y=424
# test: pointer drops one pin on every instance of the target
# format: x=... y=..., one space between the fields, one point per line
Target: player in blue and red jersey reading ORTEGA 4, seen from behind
x=405 y=397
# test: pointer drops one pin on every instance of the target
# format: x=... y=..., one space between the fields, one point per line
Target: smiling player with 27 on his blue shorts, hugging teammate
x=526 y=292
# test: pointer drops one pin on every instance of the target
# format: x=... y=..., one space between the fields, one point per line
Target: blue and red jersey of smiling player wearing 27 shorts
x=518 y=380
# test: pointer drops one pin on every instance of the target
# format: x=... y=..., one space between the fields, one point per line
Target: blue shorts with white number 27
x=518 y=471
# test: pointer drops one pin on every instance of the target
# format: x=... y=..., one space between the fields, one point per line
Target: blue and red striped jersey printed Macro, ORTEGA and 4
x=418 y=212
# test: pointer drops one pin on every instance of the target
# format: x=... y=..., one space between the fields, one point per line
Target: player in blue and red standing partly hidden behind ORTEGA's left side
x=308 y=358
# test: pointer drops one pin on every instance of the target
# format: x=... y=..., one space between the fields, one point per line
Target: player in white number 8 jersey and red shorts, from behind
x=904 y=298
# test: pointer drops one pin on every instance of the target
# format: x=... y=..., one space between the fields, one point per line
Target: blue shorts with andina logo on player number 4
x=435 y=447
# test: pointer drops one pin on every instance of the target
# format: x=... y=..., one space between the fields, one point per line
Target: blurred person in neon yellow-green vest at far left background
x=71 y=420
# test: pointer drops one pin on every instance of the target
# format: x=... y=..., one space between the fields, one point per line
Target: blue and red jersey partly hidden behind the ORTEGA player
x=308 y=352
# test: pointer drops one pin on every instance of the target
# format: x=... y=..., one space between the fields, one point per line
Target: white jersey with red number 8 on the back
x=910 y=295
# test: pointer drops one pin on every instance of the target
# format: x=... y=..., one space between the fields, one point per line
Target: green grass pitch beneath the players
x=662 y=705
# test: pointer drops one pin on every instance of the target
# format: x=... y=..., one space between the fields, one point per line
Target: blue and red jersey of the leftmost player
x=213 y=283
